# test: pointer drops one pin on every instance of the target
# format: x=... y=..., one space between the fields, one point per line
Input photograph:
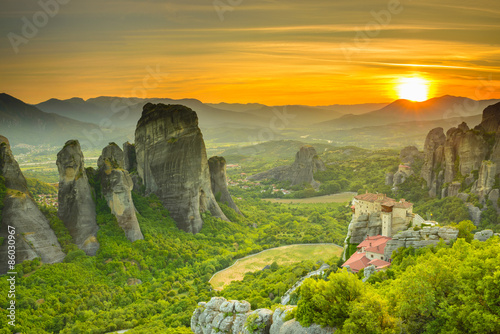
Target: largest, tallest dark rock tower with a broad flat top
x=172 y=162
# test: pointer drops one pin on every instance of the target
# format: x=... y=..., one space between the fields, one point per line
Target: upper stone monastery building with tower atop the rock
x=395 y=215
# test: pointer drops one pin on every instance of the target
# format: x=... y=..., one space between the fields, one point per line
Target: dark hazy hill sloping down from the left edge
x=24 y=123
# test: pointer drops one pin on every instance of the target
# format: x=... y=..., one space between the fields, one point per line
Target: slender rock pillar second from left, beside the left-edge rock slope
x=76 y=206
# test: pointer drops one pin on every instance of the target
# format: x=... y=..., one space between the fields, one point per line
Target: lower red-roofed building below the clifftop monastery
x=369 y=252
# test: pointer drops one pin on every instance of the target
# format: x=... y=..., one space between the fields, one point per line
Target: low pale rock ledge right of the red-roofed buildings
x=418 y=239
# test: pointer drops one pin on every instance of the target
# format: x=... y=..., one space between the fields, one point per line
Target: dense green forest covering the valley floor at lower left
x=156 y=283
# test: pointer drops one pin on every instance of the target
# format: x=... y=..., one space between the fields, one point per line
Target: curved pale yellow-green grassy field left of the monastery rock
x=282 y=255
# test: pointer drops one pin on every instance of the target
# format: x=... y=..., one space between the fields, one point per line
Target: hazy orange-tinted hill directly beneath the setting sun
x=407 y=111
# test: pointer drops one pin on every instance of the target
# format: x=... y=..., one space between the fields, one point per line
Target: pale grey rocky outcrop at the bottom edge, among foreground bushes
x=222 y=316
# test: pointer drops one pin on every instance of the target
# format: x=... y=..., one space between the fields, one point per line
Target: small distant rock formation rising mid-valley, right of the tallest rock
x=301 y=171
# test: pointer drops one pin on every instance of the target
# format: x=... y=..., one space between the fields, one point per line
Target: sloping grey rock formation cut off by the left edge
x=33 y=235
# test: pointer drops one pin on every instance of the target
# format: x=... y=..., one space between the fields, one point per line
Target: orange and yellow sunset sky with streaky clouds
x=316 y=52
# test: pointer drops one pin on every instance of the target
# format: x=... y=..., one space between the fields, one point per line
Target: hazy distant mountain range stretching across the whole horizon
x=100 y=120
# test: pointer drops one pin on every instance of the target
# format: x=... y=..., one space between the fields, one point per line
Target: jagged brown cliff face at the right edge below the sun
x=463 y=157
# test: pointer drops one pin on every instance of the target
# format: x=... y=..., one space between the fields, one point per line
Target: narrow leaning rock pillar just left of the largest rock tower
x=117 y=186
